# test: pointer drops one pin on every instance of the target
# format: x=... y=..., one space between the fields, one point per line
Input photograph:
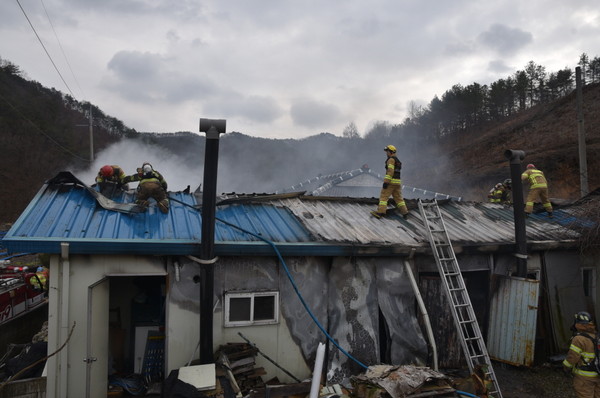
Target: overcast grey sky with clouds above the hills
x=280 y=68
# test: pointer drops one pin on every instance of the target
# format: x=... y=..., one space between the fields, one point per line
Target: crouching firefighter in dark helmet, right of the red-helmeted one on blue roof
x=151 y=185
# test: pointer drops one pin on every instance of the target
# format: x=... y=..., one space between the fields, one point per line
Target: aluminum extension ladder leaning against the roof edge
x=454 y=285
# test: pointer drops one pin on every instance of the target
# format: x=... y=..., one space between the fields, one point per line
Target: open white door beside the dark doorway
x=97 y=340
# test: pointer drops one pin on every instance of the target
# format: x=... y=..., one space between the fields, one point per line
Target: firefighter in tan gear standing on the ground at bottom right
x=580 y=357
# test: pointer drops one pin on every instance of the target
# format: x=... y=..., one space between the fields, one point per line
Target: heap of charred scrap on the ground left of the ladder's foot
x=397 y=381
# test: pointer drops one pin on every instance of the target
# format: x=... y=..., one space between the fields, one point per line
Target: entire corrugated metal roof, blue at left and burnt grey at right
x=298 y=225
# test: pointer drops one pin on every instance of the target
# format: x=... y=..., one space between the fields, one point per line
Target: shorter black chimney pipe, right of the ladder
x=515 y=158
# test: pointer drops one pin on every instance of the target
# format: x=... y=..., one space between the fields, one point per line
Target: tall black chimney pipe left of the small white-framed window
x=213 y=128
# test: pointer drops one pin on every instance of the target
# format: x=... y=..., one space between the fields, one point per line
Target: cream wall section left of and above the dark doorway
x=84 y=271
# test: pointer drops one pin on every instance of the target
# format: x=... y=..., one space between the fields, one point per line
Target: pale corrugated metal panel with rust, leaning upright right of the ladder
x=513 y=316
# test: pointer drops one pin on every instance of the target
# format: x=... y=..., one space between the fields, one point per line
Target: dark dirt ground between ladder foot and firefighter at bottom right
x=545 y=381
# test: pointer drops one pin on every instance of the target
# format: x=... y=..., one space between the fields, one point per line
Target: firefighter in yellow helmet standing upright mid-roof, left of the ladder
x=392 y=185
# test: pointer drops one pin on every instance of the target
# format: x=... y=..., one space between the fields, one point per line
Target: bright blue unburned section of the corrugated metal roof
x=68 y=213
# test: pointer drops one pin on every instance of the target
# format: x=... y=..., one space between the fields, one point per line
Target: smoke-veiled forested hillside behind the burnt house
x=454 y=145
